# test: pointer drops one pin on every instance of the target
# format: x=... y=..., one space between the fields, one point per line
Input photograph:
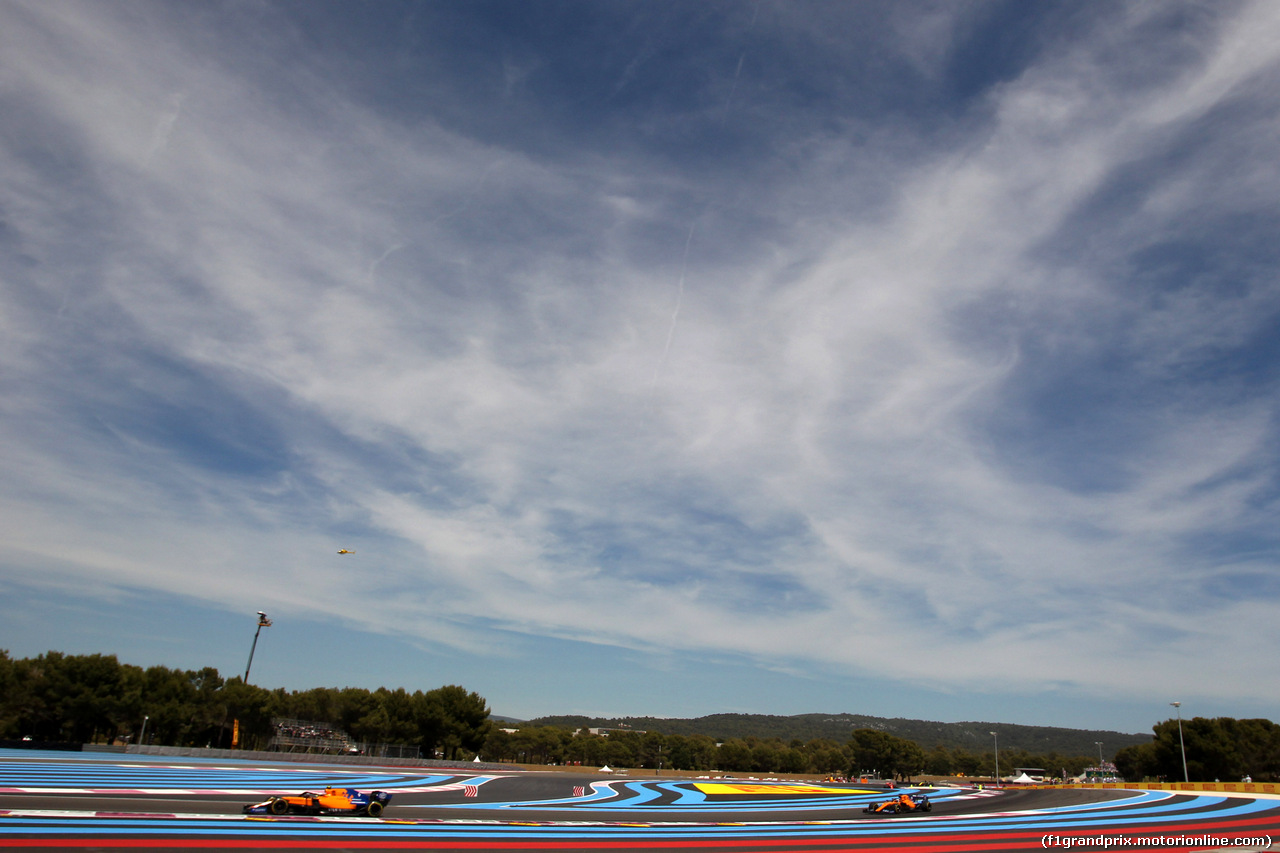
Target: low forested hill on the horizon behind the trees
x=973 y=737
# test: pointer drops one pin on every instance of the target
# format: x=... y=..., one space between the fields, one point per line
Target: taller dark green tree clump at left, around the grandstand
x=94 y=699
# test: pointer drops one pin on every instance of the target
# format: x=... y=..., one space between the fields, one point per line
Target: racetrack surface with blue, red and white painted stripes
x=111 y=804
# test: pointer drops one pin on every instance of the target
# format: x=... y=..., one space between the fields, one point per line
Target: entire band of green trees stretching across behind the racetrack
x=94 y=699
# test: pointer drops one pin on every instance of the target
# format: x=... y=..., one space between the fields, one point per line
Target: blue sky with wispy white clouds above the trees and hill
x=668 y=359
